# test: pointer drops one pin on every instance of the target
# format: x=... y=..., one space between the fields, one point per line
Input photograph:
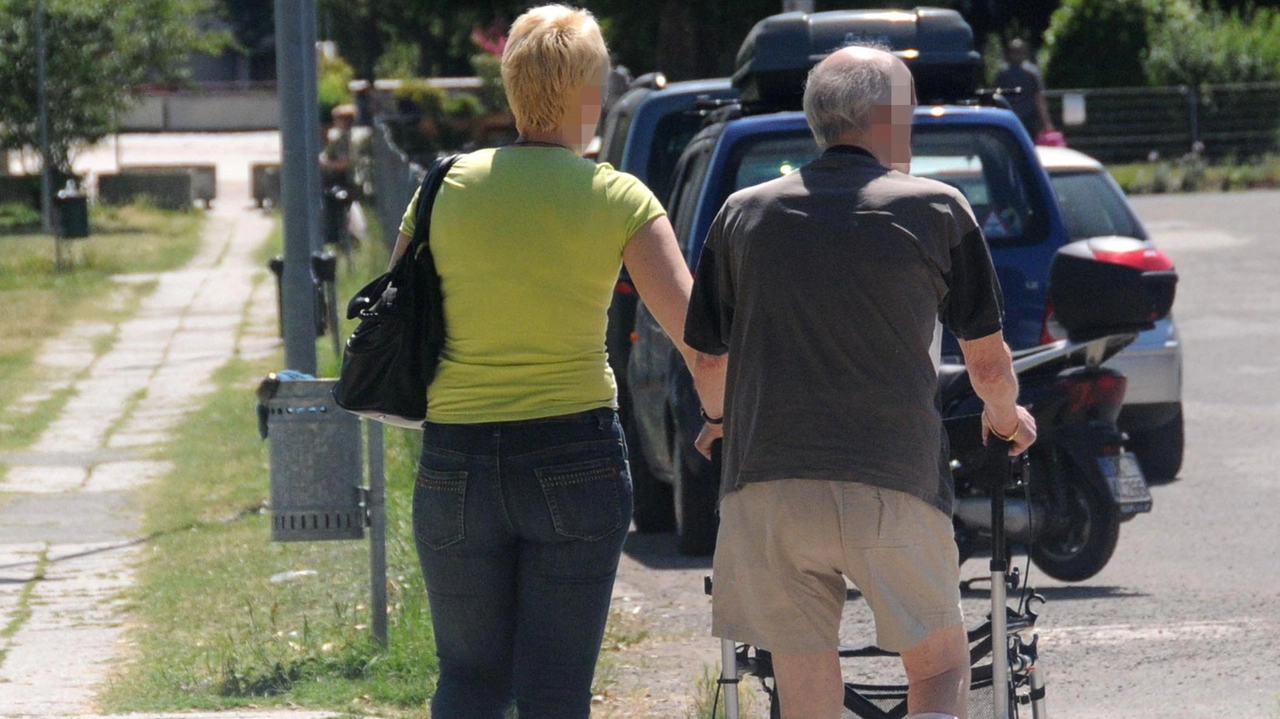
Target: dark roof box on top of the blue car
x=936 y=44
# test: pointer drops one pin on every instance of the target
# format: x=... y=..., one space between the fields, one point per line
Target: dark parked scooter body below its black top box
x=1082 y=482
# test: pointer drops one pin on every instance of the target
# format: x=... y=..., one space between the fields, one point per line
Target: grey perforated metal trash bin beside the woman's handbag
x=317 y=465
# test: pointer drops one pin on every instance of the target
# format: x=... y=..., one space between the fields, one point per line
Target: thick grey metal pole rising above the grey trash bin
x=298 y=287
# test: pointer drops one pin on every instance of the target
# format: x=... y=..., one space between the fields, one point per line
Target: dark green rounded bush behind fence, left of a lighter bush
x=1105 y=43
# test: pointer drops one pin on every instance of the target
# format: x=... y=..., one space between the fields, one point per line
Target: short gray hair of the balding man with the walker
x=842 y=98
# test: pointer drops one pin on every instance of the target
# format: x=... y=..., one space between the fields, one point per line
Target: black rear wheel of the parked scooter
x=1084 y=544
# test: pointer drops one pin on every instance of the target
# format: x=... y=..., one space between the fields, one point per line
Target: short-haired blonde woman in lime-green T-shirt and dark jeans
x=524 y=496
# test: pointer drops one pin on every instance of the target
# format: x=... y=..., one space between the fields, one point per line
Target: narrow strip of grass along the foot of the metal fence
x=1192 y=173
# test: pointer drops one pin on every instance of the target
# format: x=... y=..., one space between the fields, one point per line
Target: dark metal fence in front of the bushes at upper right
x=1130 y=125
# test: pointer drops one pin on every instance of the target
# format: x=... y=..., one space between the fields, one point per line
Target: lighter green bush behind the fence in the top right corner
x=1214 y=47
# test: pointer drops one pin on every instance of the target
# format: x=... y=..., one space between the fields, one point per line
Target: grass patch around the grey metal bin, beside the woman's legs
x=213 y=631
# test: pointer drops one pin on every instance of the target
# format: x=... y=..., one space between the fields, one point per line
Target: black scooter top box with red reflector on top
x=1110 y=285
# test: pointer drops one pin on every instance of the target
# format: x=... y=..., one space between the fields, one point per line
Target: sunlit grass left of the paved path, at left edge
x=125 y=241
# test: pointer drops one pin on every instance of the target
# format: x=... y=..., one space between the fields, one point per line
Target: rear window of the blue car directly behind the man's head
x=982 y=163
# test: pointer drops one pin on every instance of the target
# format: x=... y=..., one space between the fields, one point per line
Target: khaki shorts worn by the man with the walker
x=785 y=548
